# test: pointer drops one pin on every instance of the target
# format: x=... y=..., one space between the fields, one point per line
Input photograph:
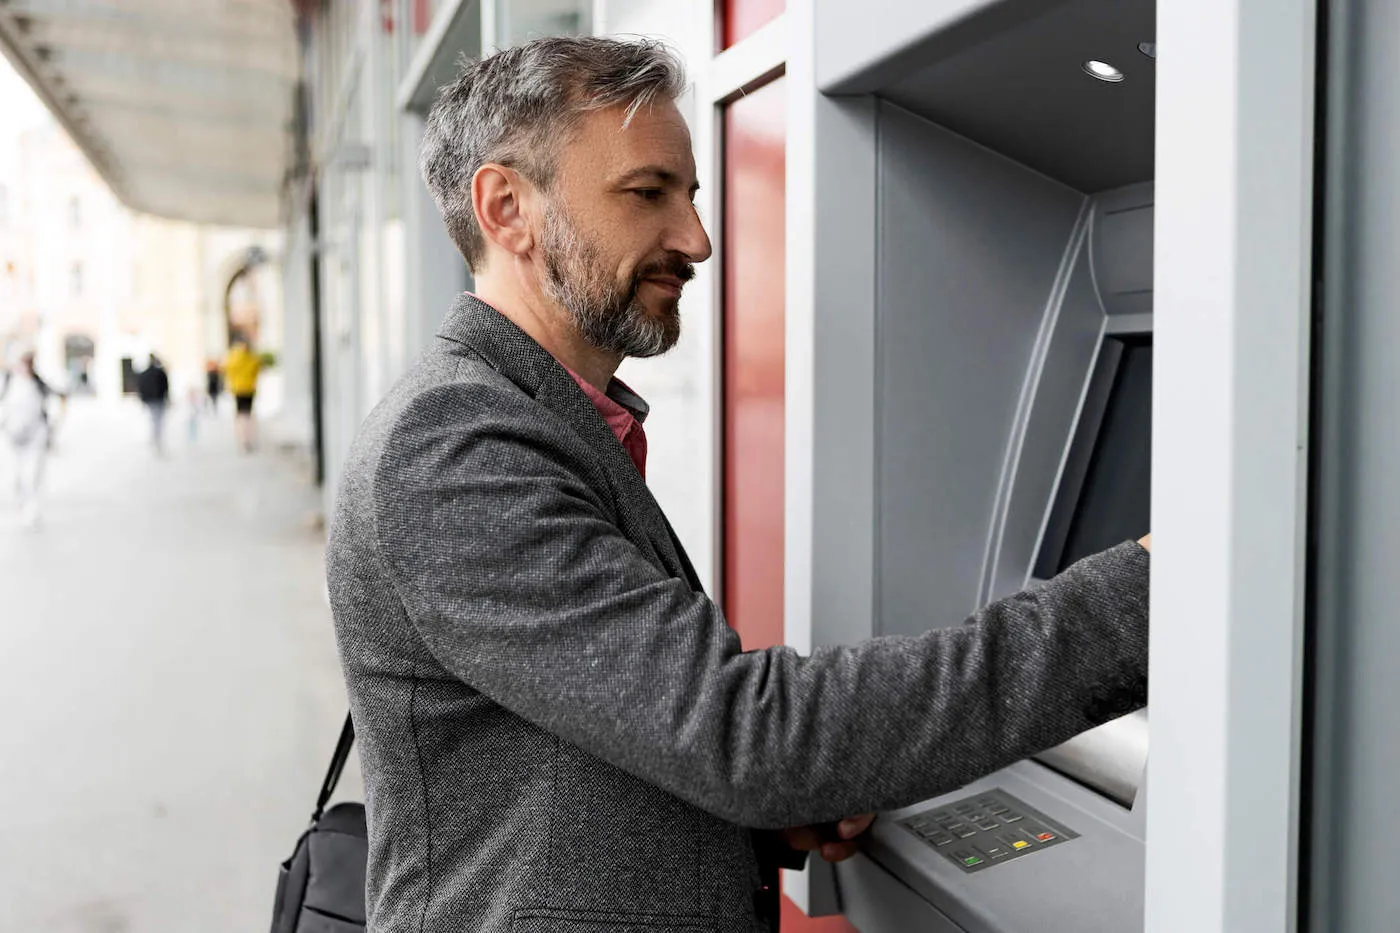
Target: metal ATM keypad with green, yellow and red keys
x=989 y=830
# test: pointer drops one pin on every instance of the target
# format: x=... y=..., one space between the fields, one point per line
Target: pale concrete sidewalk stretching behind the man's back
x=169 y=682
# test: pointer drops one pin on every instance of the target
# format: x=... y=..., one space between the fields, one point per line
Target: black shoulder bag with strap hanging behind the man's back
x=321 y=887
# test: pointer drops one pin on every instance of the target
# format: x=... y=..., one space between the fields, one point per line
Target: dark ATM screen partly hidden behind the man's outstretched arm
x=1105 y=494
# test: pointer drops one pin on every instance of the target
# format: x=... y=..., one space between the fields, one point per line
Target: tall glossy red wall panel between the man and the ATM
x=755 y=200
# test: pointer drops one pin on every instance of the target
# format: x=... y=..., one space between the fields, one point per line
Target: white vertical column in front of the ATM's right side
x=1234 y=236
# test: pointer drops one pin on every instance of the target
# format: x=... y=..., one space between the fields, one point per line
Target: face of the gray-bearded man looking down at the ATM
x=621 y=232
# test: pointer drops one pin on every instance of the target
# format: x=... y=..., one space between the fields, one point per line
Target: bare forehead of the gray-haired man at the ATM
x=603 y=148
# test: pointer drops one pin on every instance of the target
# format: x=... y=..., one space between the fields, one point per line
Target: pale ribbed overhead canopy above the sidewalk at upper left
x=185 y=107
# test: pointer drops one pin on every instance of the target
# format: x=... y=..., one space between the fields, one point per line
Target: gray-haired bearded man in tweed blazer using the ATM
x=558 y=729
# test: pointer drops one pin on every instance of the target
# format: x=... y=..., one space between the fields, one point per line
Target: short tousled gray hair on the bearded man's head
x=519 y=107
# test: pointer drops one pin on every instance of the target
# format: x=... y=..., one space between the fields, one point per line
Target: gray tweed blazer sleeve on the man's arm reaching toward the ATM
x=513 y=569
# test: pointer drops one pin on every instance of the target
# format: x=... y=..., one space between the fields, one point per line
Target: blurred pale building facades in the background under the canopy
x=93 y=289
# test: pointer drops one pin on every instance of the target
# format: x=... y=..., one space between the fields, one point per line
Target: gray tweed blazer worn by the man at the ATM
x=558 y=731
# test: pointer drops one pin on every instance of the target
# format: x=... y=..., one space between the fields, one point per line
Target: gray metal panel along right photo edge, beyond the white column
x=1356 y=753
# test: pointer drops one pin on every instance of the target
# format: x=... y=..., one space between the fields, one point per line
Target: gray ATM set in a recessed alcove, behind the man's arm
x=1010 y=162
